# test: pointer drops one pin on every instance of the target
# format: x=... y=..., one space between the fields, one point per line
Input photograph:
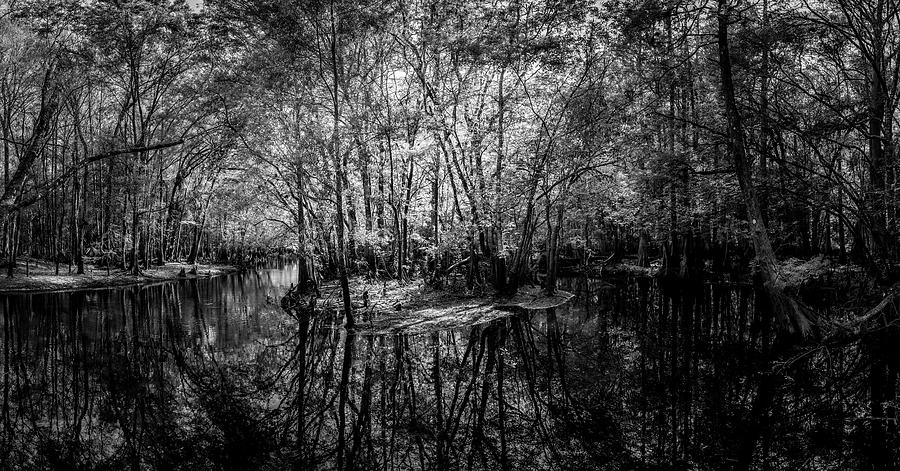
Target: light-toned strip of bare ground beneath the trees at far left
x=41 y=276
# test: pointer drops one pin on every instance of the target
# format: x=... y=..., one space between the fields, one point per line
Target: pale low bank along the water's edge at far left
x=97 y=279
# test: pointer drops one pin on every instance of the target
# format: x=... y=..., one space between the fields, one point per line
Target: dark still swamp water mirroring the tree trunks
x=211 y=374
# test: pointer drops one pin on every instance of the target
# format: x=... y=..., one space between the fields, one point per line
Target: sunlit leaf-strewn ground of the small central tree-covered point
x=413 y=307
